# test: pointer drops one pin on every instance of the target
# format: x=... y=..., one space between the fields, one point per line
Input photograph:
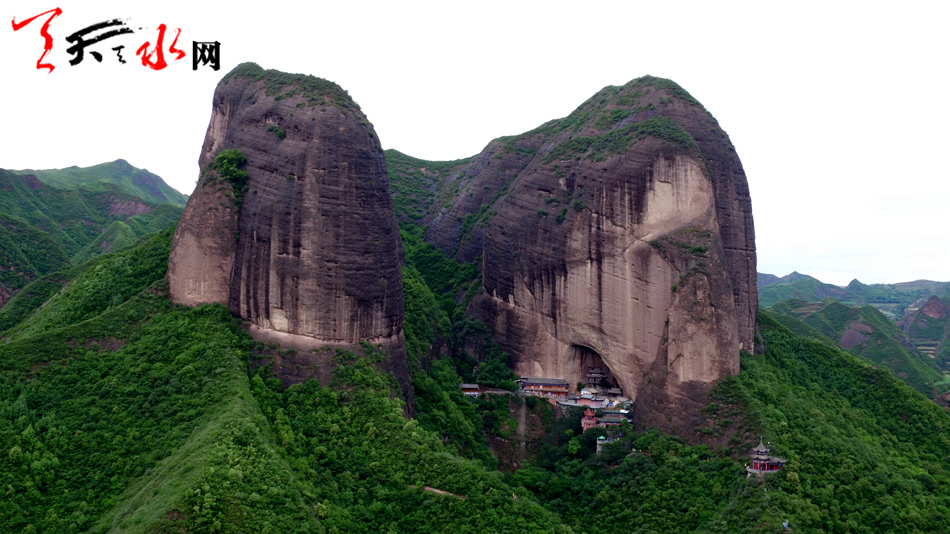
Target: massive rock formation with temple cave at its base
x=619 y=237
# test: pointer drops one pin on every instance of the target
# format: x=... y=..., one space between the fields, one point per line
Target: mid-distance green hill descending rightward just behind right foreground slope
x=867 y=333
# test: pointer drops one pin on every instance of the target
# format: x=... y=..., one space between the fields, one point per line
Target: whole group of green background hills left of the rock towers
x=50 y=226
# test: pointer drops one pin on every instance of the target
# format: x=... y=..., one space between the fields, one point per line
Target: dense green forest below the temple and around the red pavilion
x=866 y=454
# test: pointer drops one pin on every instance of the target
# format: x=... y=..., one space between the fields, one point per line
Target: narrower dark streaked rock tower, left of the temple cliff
x=310 y=253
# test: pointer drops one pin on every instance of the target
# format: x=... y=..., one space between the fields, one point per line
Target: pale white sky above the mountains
x=835 y=109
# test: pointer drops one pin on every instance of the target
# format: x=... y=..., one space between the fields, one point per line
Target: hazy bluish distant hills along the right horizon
x=893 y=300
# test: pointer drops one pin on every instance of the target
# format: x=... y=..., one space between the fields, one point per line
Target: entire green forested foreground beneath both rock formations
x=130 y=414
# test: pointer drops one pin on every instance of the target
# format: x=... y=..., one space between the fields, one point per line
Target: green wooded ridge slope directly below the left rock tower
x=144 y=418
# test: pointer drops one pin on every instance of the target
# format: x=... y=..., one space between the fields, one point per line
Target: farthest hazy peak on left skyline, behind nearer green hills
x=117 y=175
